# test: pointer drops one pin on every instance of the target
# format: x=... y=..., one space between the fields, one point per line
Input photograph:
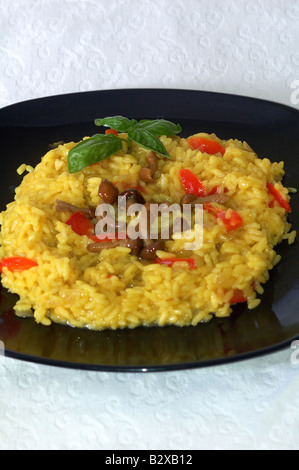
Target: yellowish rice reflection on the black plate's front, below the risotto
x=141 y=348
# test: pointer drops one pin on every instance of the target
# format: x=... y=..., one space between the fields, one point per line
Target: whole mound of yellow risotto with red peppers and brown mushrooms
x=64 y=273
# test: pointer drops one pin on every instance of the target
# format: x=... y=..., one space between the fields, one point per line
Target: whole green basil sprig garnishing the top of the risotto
x=101 y=146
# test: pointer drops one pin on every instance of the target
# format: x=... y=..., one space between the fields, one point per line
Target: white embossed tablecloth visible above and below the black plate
x=49 y=47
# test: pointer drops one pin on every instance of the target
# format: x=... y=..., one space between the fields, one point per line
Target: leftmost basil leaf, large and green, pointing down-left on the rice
x=93 y=150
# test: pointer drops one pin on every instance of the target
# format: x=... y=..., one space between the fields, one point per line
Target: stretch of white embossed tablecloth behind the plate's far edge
x=53 y=46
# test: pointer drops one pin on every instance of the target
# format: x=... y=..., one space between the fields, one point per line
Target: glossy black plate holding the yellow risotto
x=27 y=131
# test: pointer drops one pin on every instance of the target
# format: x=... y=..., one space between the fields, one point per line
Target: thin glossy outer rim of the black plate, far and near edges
x=10 y=110
